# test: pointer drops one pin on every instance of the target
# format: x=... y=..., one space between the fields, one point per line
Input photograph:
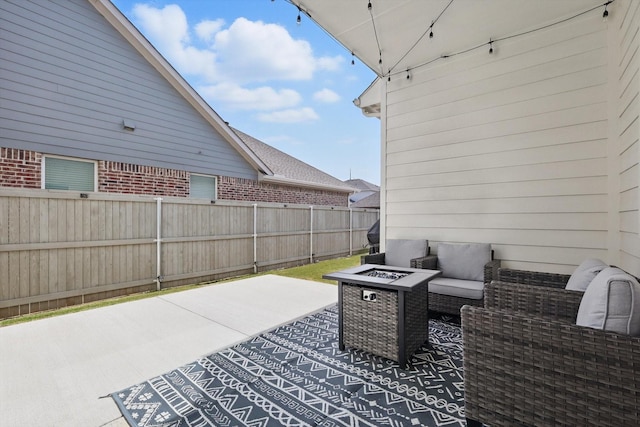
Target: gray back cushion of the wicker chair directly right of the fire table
x=464 y=261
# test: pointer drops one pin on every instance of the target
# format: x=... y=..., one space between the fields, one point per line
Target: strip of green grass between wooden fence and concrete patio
x=308 y=272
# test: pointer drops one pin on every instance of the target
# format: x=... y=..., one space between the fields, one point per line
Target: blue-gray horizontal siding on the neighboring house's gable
x=69 y=79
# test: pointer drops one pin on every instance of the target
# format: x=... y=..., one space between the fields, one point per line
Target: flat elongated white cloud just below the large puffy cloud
x=261 y=98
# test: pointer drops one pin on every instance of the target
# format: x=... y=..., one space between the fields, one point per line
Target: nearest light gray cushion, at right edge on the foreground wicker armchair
x=611 y=303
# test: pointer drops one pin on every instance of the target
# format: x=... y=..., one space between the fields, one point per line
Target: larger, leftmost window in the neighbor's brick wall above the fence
x=68 y=174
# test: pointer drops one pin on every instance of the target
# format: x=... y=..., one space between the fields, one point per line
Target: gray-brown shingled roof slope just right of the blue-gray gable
x=289 y=170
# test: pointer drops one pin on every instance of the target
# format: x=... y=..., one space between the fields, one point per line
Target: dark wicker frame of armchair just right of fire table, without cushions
x=449 y=304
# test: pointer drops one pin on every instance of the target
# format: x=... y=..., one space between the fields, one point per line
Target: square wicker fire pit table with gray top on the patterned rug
x=383 y=309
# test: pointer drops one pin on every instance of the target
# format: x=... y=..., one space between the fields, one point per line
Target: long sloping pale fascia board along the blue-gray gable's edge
x=146 y=49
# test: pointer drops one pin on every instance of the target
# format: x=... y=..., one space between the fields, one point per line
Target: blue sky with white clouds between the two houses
x=291 y=86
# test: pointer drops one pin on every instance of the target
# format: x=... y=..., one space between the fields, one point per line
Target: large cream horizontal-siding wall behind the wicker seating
x=508 y=149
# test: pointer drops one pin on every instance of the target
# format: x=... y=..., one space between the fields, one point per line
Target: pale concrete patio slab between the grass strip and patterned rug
x=54 y=371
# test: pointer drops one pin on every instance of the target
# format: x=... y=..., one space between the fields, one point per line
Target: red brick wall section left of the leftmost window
x=20 y=168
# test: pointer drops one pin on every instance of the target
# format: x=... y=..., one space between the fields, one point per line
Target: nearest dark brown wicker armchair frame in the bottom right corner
x=526 y=362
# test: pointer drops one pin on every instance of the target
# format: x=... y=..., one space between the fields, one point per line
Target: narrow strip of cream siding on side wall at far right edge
x=627 y=131
